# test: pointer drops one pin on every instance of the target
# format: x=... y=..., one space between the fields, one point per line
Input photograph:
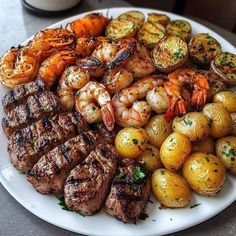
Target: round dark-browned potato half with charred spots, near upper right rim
x=203 y=48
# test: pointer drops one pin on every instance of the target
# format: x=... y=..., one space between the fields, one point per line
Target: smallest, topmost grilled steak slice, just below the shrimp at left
x=20 y=93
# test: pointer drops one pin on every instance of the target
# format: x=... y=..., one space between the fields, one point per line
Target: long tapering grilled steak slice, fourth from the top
x=49 y=174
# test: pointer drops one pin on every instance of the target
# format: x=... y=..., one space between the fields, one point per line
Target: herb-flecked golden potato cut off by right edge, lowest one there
x=226 y=151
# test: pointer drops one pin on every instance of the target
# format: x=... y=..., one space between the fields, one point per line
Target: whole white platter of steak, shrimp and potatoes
x=120 y=121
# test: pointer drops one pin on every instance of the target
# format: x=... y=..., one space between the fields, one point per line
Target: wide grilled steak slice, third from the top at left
x=27 y=145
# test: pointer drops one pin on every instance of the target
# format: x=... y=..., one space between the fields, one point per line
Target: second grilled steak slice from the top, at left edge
x=36 y=107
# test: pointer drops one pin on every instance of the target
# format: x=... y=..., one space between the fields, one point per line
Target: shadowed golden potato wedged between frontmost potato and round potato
x=150 y=158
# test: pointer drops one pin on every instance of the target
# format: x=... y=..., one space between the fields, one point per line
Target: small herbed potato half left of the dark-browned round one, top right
x=180 y=28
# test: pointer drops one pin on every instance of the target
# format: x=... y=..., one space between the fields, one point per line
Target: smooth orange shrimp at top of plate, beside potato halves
x=92 y=24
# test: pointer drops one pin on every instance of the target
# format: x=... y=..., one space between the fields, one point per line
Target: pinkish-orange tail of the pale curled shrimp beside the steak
x=108 y=116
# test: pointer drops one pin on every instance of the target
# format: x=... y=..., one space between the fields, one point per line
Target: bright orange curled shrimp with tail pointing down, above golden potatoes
x=179 y=78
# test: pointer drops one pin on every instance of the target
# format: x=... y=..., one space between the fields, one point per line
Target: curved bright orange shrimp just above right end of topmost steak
x=53 y=66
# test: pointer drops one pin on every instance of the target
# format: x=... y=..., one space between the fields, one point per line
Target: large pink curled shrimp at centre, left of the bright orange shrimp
x=129 y=111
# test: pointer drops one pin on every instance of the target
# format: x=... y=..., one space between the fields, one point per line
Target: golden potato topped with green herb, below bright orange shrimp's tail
x=194 y=125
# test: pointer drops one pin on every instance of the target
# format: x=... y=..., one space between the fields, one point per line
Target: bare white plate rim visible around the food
x=159 y=222
